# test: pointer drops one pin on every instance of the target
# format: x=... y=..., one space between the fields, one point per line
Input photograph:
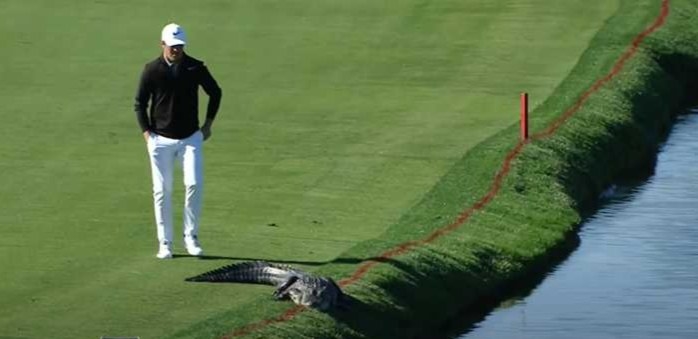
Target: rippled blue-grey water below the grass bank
x=635 y=272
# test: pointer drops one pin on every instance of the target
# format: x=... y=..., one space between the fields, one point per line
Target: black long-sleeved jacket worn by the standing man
x=173 y=97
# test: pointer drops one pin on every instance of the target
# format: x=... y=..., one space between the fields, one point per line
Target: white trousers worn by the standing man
x=164 y=154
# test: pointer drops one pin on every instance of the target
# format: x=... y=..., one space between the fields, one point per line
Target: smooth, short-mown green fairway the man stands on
x=337 y=117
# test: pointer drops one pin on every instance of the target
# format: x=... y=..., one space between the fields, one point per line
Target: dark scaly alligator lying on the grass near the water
x=320 y=293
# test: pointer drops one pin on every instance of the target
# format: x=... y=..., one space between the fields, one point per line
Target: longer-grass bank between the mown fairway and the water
x=533 y=220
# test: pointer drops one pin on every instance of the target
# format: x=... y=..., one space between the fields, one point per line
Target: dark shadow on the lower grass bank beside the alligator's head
x=482 y=292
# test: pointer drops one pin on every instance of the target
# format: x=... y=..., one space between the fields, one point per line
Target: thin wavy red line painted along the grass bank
x=494 y=189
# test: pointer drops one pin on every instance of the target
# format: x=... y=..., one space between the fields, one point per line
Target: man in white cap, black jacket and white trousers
x=171 y=130
